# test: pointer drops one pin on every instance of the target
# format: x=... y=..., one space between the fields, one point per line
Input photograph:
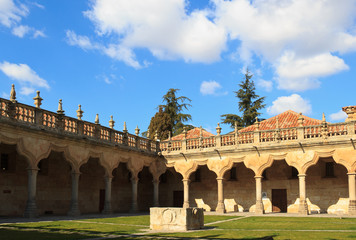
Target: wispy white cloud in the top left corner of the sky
x=11 y=14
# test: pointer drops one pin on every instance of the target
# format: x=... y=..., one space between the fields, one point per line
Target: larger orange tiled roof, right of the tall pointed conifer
x=286 y=119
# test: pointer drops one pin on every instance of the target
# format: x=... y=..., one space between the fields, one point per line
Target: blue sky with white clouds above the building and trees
x=119 y=57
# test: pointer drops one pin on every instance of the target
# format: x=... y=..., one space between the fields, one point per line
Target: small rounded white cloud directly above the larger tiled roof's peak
x=293 y=102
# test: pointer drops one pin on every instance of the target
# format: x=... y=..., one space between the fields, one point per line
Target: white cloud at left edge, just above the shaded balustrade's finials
x=22 y=73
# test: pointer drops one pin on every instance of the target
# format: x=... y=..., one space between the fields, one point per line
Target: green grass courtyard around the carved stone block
x=216 y=227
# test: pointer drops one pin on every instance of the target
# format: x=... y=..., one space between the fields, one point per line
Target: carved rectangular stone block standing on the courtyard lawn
x=176 y=219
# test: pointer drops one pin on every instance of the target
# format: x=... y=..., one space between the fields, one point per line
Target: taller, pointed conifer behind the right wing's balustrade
x=249 y=104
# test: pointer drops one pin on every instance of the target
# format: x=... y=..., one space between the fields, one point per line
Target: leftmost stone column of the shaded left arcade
x=31 y=207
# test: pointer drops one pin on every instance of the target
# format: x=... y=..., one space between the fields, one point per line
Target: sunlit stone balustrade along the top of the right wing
x=324 y=131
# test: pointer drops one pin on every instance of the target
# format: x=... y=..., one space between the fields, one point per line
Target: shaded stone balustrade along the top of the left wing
x=35 y=117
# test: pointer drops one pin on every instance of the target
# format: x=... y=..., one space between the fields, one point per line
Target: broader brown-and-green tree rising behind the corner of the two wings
x=170 y=117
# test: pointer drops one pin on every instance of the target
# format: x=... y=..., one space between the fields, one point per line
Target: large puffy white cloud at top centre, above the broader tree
x=161 y=26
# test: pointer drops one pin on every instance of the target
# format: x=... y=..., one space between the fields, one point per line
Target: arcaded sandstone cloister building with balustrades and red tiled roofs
x=55 y=164
